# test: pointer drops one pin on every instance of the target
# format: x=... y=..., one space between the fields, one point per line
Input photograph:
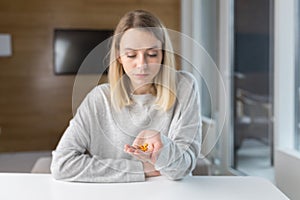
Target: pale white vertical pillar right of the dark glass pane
x=284 y=65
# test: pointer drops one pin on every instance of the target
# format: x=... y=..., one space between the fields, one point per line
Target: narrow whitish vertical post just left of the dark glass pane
x=226 y=31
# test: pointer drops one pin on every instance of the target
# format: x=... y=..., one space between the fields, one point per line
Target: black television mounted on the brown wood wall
x=72 y=46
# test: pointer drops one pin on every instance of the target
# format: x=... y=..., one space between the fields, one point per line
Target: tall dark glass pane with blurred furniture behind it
x=253 y=87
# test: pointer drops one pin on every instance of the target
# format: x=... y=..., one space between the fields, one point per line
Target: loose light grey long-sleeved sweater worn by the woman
x=91 y=149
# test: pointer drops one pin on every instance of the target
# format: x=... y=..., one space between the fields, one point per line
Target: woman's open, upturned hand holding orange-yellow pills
x=154 y=144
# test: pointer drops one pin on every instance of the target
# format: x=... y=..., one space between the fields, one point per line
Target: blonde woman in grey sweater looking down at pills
x=145 y=122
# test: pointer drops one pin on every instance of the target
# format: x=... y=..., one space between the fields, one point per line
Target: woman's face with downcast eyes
x=141 y=57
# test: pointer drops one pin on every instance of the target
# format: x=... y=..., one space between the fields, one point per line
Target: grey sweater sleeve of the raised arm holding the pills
x=182 y=144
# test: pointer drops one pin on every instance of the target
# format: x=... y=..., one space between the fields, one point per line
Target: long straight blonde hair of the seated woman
x=164 y=83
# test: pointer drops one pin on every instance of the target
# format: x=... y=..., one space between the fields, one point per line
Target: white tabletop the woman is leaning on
x=43 y=187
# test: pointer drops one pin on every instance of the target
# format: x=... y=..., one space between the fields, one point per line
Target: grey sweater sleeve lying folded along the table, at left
x=72 y=162
